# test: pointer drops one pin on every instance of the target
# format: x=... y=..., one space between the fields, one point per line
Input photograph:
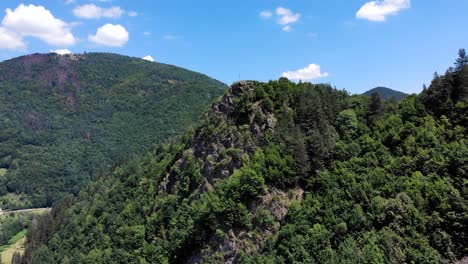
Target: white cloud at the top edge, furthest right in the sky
x=379 y=10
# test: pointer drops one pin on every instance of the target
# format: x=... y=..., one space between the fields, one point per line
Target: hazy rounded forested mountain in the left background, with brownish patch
x=64 y=119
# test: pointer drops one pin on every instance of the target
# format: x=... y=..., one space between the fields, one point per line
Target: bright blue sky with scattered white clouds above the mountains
x=354 y=44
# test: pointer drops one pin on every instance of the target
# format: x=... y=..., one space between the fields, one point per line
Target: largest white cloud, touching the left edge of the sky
x=36 y=21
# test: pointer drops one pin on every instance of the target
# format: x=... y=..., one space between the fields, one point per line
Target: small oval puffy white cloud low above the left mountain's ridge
x=110 y=35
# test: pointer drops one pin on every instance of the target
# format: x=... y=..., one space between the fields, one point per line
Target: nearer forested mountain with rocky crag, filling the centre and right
x=281 y=172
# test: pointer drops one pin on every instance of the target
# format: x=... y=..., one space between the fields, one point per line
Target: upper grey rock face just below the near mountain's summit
x=221 y=154
